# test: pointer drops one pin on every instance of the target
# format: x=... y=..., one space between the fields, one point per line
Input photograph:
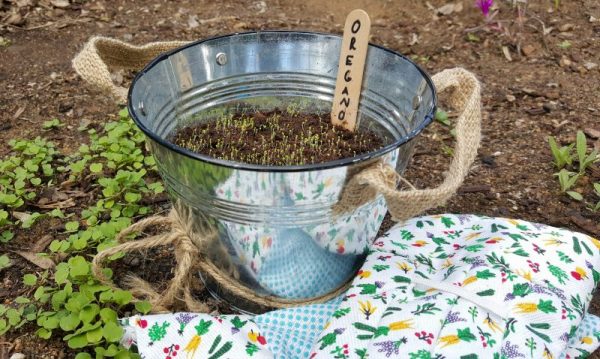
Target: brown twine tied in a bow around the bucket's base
x=190 y=255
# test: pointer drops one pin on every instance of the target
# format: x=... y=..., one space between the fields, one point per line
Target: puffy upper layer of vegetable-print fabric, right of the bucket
x=434 y=288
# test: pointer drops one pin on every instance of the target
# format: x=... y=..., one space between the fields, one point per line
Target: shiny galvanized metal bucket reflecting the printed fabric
x=277 y=231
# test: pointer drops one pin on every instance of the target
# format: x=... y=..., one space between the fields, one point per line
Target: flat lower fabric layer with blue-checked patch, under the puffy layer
x=288 y=333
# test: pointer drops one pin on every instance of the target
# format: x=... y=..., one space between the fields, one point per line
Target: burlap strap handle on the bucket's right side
x=464 y=95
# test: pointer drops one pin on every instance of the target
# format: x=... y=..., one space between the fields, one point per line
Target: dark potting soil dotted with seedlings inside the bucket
x=276 y=138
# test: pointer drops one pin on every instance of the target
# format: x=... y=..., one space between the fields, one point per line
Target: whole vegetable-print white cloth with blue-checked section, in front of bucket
x=436 y=287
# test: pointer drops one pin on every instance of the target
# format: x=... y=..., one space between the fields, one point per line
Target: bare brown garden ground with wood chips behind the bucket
x=540 y=77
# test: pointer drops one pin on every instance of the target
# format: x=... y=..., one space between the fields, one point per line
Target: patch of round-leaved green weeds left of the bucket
x=66 y=300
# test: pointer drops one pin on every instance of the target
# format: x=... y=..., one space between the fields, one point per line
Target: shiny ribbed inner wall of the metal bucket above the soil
x=266 y=70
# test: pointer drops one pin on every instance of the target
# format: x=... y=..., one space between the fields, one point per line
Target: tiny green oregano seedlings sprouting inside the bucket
x=286 y=146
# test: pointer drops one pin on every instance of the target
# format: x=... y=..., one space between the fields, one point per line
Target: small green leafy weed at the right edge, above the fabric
x=572 y=162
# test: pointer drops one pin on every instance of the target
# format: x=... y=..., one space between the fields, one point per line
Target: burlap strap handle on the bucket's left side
x=93 y=62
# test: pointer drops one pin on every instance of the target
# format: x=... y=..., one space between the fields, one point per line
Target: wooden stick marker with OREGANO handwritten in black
x=355 y=44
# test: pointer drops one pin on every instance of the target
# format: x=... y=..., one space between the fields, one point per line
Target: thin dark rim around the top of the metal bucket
x=264 y=168
